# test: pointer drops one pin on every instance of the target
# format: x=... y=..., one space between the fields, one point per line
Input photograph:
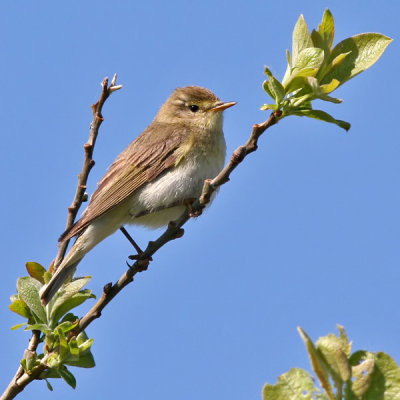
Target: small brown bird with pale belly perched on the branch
x=155 y=178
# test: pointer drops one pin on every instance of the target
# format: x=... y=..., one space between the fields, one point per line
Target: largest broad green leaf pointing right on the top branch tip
x=364 y=50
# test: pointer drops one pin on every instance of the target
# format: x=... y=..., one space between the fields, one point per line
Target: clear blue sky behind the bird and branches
x=306 y=233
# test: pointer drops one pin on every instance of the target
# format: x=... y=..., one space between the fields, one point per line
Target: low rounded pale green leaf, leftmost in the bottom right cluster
x=292 y=385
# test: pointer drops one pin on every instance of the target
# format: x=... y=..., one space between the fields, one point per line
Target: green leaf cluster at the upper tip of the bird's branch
x=316 y=68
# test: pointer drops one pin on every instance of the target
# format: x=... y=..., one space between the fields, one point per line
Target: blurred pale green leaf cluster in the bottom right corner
x=342 y=375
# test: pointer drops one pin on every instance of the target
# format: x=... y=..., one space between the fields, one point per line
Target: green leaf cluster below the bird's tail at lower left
x=62 y=346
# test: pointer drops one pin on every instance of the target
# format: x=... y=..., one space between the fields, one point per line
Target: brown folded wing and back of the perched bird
x=142 y=161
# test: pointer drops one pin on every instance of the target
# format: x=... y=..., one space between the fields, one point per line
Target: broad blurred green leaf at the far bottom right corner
x=375 y=376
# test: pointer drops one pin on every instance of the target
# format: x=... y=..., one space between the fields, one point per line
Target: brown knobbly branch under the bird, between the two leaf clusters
x=174 y=229
